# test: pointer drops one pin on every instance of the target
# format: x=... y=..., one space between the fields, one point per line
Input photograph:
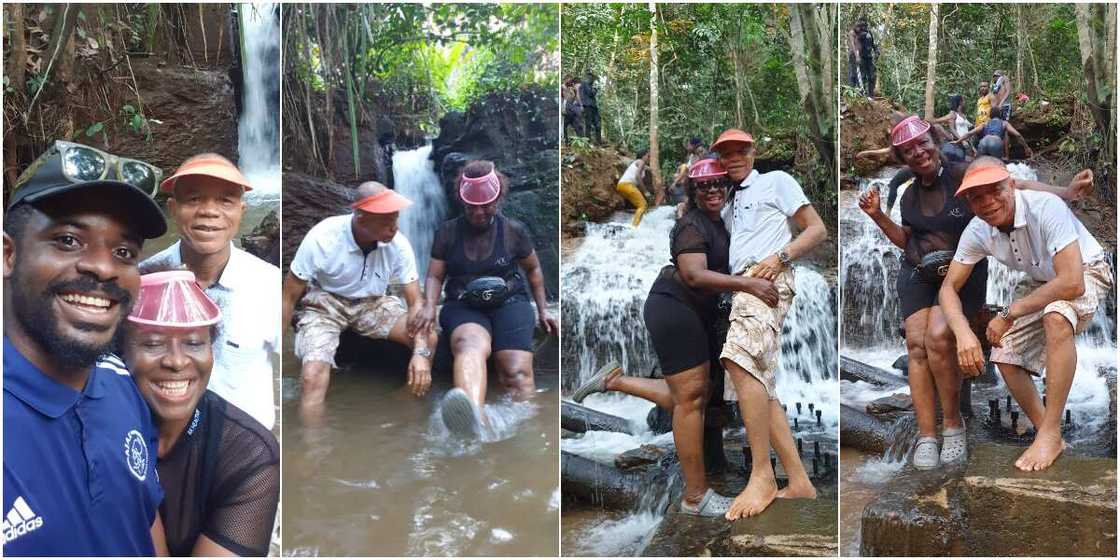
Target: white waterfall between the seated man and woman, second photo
x=415 y=179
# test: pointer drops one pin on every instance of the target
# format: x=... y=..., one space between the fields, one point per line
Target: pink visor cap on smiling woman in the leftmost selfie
x=174 y=300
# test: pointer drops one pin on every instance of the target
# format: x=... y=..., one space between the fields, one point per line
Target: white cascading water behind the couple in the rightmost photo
x=870 y=306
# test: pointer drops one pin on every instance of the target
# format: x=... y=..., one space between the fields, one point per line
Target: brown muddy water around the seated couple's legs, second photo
x=382 y=478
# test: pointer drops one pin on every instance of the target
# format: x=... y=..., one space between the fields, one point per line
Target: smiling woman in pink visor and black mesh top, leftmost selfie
x=219 y=468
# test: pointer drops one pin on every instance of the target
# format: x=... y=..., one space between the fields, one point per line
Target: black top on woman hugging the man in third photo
x=695 y=234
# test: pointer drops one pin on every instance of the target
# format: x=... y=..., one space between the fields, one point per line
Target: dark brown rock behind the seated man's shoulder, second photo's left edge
x=307 y=201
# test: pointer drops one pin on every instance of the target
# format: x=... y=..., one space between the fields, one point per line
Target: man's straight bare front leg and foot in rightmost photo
x=1061 y=365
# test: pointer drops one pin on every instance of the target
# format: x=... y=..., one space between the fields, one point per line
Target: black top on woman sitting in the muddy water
x=471 y=254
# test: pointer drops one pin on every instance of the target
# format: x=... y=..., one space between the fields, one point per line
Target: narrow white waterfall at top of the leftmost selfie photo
x=259 y=128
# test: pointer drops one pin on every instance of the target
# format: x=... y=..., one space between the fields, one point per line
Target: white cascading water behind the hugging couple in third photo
x=605 y=285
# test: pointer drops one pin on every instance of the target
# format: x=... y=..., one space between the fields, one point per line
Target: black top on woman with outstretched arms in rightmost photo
x=932 y=229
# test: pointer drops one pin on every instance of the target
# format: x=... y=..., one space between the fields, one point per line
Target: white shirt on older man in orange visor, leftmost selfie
x=249 y=295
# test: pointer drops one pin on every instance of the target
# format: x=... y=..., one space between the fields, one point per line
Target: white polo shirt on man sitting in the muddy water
x=331 y=258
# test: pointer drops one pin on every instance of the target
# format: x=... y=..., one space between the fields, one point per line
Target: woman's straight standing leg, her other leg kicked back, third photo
x=690 y=395
